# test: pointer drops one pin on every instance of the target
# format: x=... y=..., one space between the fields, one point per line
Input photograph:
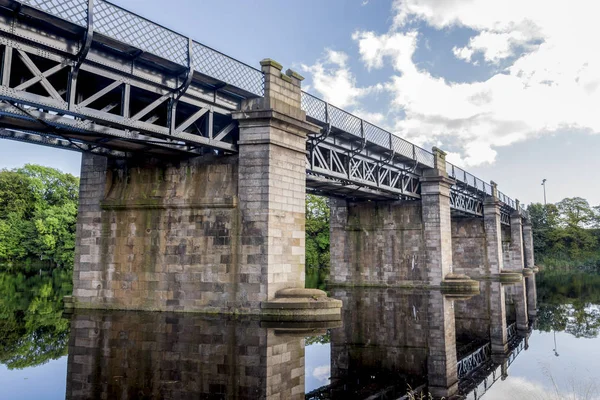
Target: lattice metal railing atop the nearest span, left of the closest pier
x=126 y=27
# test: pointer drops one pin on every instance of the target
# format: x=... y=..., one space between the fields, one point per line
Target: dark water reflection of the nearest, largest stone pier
x=120 y=354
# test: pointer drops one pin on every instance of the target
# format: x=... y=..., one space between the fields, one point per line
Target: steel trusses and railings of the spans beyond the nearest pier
x=384 y=152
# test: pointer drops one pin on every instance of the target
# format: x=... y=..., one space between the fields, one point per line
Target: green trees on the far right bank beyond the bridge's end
x=566 y=234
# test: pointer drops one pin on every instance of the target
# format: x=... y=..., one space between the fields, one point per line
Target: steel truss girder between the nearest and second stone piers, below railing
x=334 y=162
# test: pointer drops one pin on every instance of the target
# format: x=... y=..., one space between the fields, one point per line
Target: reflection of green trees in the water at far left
x=33 y=331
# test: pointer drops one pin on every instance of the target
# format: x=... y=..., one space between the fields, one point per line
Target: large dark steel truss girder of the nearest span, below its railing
x=65 y=109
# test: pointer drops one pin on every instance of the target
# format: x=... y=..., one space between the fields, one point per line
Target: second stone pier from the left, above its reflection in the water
x=397 y=243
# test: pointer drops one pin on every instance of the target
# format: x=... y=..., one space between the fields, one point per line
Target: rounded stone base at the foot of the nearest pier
x=298 y=304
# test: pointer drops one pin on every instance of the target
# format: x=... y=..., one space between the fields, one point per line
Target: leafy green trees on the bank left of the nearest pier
x=38 y=211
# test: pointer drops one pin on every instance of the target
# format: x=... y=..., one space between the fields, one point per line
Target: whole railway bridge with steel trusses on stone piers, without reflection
x=195 y=168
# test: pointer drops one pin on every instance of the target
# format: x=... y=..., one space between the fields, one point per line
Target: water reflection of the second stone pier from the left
x=392 y=338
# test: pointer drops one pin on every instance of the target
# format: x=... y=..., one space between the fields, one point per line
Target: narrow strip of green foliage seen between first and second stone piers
x=317 y=241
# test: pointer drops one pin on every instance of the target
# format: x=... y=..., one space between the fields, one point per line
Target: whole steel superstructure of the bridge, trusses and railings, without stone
x=87 y=75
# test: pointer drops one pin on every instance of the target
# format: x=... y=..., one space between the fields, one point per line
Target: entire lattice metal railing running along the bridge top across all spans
x=120 y=25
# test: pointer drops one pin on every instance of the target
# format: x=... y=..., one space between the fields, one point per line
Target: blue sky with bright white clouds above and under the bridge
x=509 y=89
